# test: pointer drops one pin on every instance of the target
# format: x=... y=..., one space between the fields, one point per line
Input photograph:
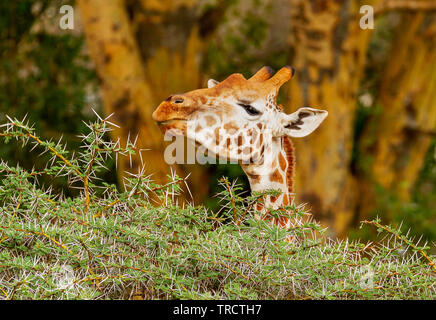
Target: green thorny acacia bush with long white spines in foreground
x=108 y=243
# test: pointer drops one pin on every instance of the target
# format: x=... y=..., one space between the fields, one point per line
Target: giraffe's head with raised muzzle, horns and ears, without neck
x=235 y=118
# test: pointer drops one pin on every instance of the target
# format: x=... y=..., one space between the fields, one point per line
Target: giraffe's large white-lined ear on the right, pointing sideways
x=303 y=122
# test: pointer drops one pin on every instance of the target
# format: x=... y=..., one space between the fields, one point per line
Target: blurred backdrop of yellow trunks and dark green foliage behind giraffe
x=373 y=156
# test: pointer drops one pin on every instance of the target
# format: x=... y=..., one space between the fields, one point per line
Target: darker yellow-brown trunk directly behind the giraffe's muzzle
x=172 y=38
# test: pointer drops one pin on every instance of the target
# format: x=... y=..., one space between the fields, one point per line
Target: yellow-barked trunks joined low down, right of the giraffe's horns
x=329 y=49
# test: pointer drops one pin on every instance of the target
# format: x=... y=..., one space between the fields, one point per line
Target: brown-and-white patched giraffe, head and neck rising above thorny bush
x=238 y=119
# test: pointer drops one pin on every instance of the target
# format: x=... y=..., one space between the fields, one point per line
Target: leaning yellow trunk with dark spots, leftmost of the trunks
x=124 y=89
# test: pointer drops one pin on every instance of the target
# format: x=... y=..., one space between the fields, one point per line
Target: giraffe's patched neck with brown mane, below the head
x=276 y=172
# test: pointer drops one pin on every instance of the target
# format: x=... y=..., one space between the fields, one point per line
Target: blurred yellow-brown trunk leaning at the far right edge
x=401 y=134
